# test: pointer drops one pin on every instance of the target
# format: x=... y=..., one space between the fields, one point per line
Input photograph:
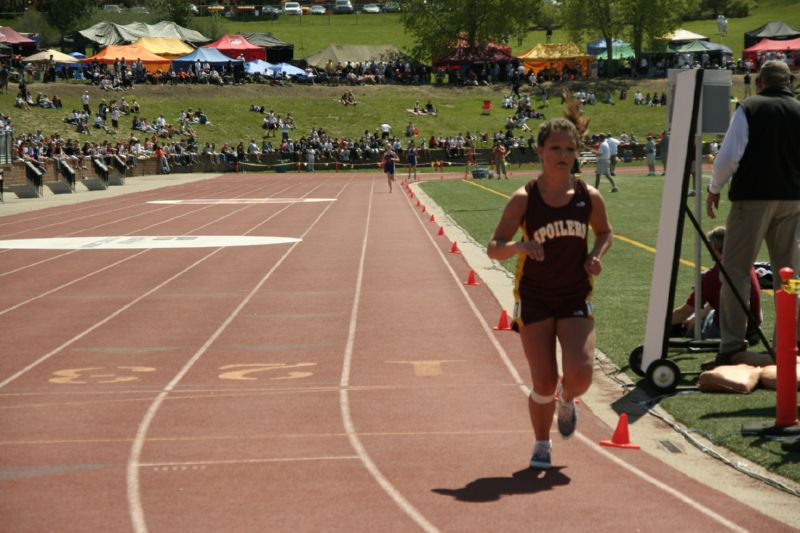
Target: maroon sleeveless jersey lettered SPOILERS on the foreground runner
x=562 y=232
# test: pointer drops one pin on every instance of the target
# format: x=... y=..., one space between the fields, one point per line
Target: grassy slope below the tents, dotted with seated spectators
x=318 y=106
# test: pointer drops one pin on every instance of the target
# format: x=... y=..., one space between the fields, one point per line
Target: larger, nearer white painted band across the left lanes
x=139 y=242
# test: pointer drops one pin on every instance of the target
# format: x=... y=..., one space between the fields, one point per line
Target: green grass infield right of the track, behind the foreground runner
x=621 y=297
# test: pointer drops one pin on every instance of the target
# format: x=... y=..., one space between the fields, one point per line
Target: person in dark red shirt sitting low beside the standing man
x=683 y=317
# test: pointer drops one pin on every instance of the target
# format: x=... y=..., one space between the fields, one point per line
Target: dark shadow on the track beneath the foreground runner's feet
x=490 y=489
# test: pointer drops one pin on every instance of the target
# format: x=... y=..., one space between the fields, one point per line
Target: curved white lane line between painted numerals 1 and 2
x=344 y=383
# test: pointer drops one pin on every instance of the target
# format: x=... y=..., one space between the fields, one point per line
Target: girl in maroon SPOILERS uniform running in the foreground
x=553 y=285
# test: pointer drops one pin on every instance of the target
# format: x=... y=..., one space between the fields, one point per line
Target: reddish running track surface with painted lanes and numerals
x=348 y=381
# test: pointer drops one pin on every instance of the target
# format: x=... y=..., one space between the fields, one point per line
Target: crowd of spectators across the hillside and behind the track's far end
x=177 y=141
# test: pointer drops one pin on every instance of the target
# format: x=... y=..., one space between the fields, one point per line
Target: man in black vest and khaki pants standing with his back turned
x=761 y=152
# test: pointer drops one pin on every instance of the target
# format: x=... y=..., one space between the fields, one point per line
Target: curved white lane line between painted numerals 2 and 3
x=135 y=508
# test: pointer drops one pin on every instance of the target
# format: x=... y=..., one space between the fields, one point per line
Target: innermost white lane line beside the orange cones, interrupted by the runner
x=515 y=376
